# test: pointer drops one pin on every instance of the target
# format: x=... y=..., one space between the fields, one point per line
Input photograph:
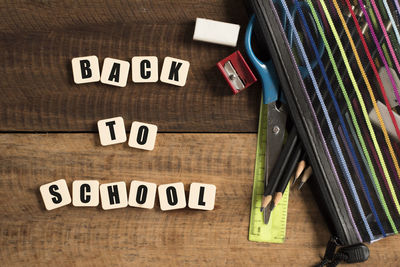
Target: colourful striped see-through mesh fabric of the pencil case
x=362 y=154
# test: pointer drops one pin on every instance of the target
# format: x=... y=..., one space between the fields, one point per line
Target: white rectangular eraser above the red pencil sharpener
x=216 y=32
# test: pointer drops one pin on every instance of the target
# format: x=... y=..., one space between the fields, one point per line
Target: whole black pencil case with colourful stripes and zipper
x=338 y=64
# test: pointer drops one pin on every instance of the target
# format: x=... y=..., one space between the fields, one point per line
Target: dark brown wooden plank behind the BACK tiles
x=39 y=39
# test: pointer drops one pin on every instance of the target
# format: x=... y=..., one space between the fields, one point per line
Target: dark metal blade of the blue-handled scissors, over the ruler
x=276 y=123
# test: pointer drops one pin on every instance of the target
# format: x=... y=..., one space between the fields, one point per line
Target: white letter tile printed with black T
x=112 y=131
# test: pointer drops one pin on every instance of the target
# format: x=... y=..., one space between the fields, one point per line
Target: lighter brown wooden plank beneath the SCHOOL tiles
x=92 y=237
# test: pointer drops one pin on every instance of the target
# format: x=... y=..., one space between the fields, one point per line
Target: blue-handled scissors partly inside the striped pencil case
x=273 y=97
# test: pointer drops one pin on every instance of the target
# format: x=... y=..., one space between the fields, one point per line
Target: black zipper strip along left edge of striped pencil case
x=341 y=222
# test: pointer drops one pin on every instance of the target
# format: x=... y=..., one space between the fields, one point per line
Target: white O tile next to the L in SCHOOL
x=172 y=196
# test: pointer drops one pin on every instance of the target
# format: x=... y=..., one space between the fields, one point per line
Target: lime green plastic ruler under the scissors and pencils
x=275 y=230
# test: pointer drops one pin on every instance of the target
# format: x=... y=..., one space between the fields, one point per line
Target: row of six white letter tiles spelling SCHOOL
x=85 y=193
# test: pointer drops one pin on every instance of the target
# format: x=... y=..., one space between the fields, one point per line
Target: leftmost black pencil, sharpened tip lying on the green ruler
x=279 y=168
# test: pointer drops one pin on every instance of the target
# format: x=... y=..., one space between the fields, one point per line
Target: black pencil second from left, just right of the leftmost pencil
x=289 y=169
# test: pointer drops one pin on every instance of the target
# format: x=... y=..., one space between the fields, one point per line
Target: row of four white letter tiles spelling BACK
x=144 y=70
